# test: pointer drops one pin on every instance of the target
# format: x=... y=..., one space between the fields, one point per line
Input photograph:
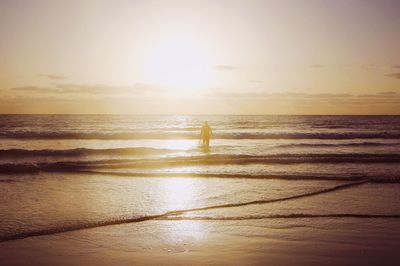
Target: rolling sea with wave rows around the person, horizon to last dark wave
x=339 y=147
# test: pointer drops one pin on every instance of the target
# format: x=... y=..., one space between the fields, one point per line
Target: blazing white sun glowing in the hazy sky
x=178 y=63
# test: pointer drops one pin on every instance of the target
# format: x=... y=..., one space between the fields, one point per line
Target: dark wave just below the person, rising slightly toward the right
x=215 y=159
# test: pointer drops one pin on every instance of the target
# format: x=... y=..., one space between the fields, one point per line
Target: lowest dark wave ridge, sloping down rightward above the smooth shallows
x=89 y=169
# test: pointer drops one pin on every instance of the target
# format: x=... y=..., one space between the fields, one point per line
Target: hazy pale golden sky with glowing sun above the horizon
x=200 y=57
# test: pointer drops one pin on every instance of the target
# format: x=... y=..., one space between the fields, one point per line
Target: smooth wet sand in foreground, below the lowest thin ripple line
x=325 y=241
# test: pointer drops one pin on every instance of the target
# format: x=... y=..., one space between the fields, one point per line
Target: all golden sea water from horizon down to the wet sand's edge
x=60 y=173
